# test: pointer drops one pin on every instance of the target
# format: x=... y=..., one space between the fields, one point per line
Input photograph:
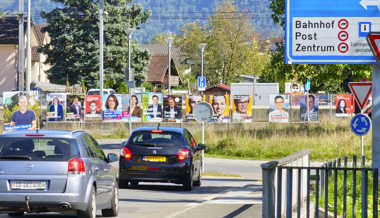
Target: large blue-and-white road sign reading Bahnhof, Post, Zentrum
x=330 y=31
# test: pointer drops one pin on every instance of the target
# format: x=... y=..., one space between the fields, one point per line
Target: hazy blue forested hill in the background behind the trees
x=168 y=16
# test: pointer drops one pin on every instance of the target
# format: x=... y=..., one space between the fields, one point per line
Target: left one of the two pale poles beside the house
x=21 y=55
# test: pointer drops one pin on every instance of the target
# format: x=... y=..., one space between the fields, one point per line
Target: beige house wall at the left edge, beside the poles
x=7 y=67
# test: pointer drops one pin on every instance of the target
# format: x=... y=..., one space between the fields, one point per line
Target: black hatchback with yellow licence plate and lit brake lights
x=161 y=154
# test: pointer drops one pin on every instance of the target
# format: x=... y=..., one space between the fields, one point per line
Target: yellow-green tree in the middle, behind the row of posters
x=226 y=34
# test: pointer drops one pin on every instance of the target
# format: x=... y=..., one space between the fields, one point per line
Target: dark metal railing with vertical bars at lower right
x=323 y=175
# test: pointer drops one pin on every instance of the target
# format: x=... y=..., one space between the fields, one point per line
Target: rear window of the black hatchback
x=163 y=139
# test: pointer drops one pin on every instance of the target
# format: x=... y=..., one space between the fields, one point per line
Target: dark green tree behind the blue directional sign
x=328 y=77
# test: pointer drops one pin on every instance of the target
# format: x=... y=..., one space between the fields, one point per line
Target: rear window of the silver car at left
x=39 y=149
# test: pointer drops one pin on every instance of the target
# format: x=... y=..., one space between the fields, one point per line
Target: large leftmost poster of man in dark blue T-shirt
x=21 y=110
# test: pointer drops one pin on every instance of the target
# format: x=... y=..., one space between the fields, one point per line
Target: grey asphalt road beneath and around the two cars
x=217 y=197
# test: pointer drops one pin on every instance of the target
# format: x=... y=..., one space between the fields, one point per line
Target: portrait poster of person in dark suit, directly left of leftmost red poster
x=75 y=107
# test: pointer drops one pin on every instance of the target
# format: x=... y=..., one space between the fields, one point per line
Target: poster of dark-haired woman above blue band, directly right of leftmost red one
x=111 y=107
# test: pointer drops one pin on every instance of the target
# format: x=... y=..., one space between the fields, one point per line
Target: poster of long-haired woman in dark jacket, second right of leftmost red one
x=135 y=109
